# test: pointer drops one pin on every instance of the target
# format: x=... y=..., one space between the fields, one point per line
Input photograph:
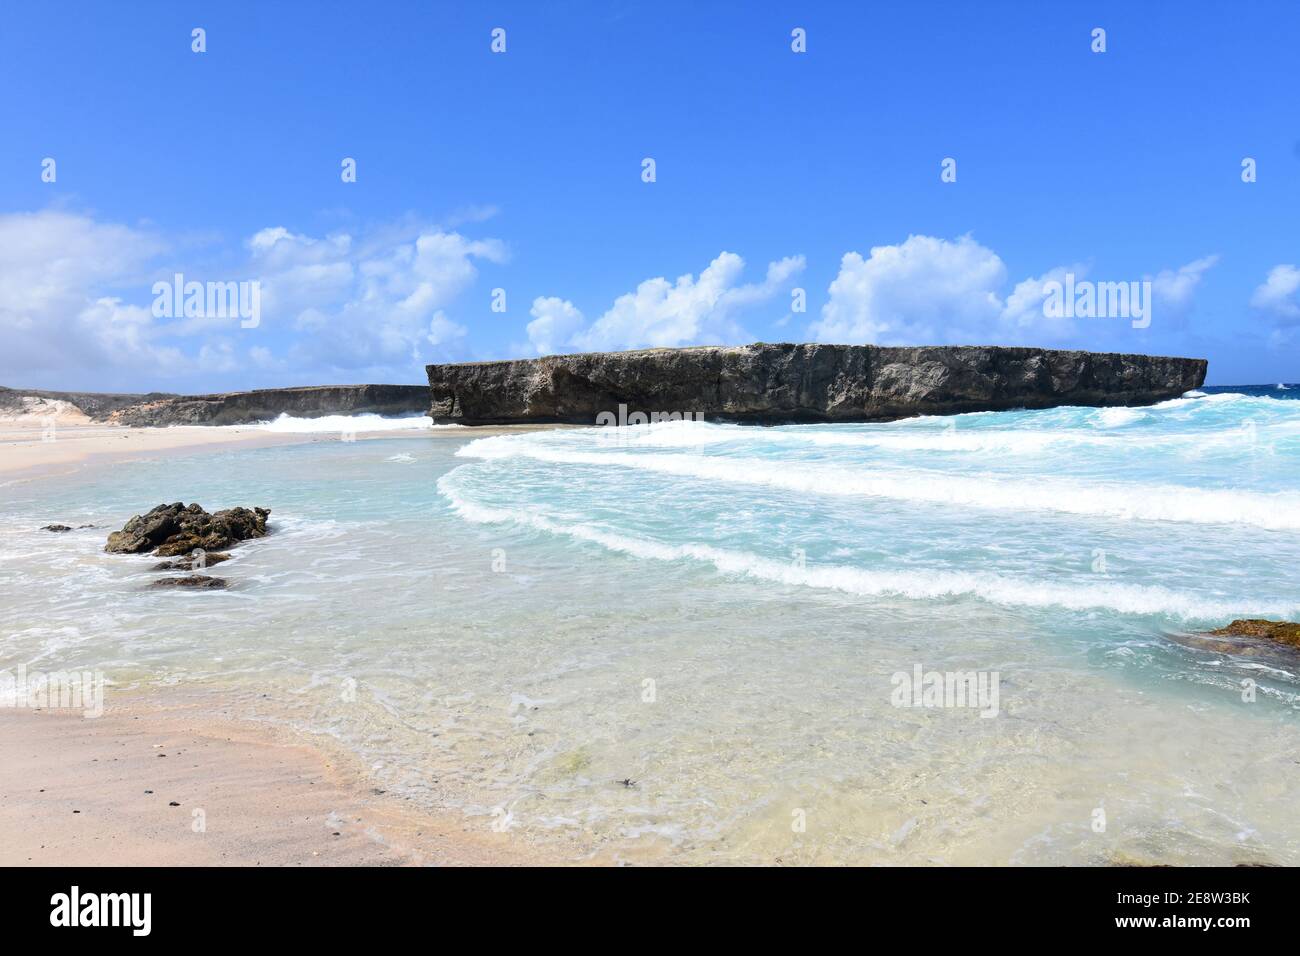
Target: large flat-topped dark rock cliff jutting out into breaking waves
x=774 y=384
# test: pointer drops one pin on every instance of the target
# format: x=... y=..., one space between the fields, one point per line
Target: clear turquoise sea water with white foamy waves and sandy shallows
x=679 y=642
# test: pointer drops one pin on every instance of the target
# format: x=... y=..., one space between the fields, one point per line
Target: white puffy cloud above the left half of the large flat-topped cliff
x=690 y=312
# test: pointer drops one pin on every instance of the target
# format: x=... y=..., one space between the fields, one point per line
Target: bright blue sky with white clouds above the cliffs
x=523 y=171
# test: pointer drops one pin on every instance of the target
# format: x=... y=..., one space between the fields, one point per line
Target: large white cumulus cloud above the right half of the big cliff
x=933 y=291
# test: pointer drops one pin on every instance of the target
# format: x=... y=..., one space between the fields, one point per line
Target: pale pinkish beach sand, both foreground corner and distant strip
x=96 y=791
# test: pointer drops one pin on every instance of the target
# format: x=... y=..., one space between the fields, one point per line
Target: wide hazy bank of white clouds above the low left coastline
x=76 y=302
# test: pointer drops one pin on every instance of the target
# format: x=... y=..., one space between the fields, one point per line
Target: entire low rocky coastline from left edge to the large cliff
x=231 y=408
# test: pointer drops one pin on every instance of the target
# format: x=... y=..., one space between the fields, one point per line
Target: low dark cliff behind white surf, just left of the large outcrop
x=266 y=405
